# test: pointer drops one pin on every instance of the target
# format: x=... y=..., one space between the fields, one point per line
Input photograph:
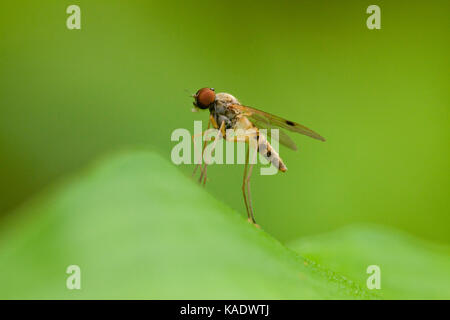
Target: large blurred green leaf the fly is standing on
x=138 y=228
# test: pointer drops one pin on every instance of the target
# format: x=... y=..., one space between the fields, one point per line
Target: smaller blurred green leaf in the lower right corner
x=410 y=268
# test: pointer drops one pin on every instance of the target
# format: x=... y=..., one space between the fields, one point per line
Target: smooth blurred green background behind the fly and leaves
x=380 y=97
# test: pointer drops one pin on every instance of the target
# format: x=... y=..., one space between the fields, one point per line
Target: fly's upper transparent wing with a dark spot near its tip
x=274 y=121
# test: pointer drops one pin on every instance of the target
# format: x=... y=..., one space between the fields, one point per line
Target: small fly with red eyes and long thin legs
x=226 y=112
